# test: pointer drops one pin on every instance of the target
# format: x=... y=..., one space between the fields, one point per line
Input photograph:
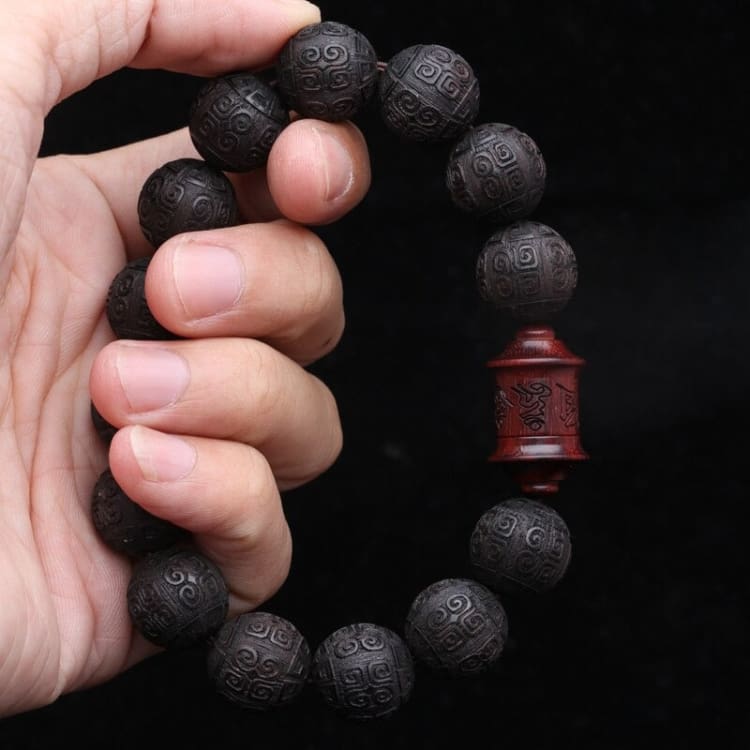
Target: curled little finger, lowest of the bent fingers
x=222 y=492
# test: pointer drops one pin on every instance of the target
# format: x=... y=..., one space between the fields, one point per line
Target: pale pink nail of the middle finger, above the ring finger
x=208 y=278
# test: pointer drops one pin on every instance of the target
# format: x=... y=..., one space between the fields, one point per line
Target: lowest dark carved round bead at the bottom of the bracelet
x=363 y=671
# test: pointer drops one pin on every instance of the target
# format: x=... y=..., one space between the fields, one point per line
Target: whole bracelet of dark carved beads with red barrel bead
x=177 y=598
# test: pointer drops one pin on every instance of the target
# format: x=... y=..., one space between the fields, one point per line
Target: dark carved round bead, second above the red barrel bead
x=496 y=173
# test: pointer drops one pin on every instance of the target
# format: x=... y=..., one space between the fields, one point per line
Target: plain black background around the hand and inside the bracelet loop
x=637 y=108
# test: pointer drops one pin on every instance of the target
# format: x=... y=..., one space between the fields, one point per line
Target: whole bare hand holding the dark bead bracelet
x=212 y=426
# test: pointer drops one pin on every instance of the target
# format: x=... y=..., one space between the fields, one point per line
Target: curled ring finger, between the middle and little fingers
x=232 y=389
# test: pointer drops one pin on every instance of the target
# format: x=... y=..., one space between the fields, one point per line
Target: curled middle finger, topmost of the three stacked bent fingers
x=275 y=281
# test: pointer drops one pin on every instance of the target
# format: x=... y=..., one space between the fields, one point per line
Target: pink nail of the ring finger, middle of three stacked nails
x=151 y=378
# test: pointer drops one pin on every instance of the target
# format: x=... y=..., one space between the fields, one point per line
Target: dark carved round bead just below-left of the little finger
x=177 y=598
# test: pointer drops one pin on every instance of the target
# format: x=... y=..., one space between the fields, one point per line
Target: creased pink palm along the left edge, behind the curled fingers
x=63 y=589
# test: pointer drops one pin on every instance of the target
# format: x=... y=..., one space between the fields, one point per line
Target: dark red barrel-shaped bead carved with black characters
x=536 y=410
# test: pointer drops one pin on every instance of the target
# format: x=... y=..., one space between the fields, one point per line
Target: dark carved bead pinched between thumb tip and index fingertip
x=328 y=71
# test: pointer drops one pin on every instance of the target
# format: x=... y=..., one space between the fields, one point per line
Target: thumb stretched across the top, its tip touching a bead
x=50 y=50
